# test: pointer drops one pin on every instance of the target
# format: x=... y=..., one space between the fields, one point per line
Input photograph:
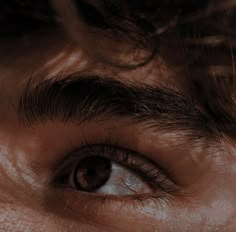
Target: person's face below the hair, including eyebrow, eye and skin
x=85 y=146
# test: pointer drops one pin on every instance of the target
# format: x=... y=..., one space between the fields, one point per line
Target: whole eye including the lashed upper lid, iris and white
x=111 y=170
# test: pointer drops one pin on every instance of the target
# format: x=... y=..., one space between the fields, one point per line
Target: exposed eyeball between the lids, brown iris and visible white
x=101 y=175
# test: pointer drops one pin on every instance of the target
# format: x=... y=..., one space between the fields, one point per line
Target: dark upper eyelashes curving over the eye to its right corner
x=155 y=176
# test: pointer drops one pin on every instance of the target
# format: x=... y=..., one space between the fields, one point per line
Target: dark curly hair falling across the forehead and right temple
x=199 y=35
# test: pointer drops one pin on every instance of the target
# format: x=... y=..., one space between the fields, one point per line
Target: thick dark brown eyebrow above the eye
x=89 y=98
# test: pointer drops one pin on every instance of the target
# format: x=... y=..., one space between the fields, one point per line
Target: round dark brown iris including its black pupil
x=92 y=173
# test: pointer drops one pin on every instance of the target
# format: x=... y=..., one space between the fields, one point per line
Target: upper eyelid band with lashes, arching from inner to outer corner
x=109 y=148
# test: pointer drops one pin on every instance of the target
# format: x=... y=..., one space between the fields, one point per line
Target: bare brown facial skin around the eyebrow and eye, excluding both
x=28 y=155
